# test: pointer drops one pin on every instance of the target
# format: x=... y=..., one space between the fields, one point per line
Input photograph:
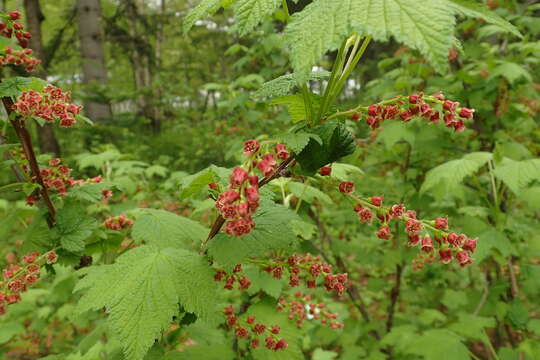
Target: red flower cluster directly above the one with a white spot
x=308 y=268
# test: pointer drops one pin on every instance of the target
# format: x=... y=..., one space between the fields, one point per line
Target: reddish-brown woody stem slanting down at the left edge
x=26 y=141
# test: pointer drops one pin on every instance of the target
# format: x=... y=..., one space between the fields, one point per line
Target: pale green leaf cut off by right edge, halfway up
x=518 y=174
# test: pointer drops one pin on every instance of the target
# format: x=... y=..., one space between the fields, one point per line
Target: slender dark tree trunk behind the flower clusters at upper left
x=46 y=138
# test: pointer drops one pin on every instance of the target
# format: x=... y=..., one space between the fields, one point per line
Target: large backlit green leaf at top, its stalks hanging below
x=427 y=26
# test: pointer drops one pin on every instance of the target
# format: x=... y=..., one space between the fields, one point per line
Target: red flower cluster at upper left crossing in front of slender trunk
x=50 y=104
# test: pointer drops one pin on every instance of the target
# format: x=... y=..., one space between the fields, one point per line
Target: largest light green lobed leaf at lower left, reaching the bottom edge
x=141 y=292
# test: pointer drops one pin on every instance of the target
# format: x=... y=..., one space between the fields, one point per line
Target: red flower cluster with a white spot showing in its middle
x=303 y=308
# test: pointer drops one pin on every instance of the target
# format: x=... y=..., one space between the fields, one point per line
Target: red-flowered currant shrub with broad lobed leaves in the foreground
x=248 y=267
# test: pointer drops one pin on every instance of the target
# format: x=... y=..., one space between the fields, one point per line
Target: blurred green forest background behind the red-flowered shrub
x=166 y=104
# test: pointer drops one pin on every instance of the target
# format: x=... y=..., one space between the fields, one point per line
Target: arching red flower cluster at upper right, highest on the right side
x=433 y=108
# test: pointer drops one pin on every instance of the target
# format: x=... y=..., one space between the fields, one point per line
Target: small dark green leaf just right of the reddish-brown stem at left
x=73 y=226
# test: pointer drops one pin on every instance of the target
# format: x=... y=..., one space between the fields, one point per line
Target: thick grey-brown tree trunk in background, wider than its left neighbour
x=91 y=40
